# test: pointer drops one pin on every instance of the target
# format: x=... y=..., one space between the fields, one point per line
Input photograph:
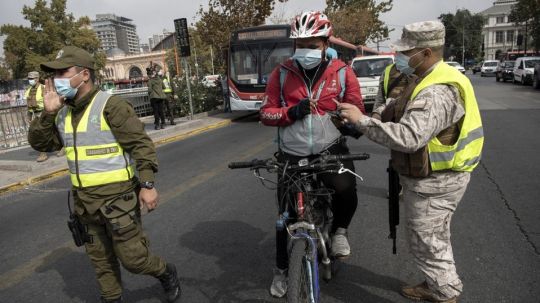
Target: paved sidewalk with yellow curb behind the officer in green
x=18 y=167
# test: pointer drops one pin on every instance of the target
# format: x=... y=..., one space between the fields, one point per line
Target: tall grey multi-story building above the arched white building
x=116 y=32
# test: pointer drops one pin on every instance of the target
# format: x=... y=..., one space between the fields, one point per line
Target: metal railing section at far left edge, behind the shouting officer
x=13 y=127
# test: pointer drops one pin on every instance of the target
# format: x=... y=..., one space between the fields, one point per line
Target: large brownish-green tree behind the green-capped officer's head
x=51 y=28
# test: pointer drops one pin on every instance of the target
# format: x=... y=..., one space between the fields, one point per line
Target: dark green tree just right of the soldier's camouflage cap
x=462 y=27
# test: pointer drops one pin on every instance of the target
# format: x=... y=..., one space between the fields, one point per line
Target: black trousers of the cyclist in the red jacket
x=344 y=200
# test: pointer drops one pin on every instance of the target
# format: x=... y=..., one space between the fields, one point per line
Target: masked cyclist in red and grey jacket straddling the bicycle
x=299 y=94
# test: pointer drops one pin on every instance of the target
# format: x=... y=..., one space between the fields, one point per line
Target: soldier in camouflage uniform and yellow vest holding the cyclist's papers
x=434 y=147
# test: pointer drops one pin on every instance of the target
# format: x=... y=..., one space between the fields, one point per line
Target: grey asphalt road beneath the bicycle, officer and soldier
x=217 y=225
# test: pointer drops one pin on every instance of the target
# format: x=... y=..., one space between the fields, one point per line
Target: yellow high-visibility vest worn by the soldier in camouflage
x=465 y=154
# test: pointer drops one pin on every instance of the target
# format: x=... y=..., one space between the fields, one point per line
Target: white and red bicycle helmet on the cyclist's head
x=311 y=24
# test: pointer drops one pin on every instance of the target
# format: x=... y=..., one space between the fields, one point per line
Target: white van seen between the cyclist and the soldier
x=368 y=70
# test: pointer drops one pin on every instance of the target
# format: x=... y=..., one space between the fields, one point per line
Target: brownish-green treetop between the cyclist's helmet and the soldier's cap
x=357 y=21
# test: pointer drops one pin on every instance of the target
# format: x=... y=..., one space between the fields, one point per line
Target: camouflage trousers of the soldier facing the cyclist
x=428 y=215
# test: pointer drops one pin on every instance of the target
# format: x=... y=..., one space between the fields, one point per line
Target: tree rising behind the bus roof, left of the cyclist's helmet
x=222 y=17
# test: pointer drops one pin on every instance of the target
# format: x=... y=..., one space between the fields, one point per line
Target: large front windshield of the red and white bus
x=252 y=63
